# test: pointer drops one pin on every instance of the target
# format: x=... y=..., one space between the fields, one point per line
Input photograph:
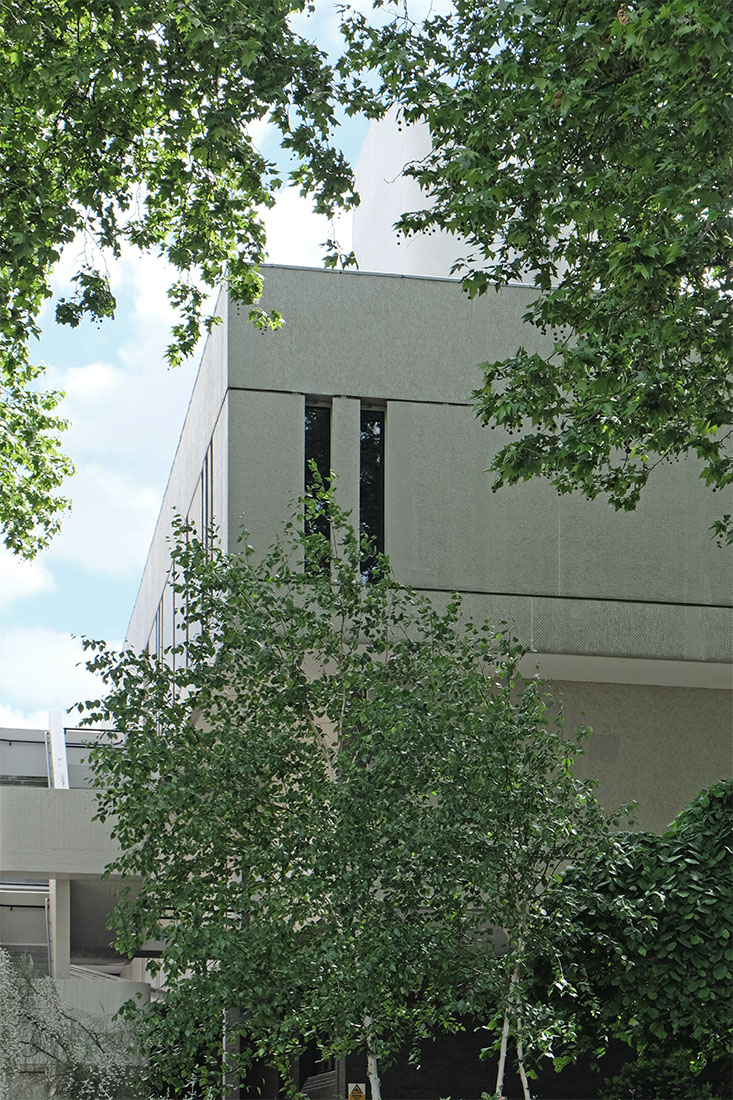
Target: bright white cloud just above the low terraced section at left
x=40 y=672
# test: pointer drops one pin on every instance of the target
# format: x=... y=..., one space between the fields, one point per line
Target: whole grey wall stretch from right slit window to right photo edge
x=447 y=526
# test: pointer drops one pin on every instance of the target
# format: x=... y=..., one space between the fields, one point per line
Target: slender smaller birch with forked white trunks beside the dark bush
x=543 y=821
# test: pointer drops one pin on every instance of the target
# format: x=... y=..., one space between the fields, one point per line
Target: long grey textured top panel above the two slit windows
x=376 y=336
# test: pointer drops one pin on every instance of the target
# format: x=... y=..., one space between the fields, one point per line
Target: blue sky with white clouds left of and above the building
x=126 y=411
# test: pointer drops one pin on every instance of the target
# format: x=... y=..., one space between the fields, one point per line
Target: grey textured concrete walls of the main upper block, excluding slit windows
x=628 y=614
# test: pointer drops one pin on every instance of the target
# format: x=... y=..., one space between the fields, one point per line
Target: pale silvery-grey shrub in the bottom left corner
x=82 y=1058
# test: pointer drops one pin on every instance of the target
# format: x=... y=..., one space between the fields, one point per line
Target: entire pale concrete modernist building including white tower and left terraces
x=629 y=615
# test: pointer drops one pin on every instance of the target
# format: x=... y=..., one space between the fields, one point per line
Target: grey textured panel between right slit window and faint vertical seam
x=445 y=526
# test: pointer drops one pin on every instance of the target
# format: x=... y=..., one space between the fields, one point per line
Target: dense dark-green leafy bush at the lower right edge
x=669 y=995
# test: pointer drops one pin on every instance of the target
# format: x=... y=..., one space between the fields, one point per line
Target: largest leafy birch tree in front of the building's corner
x=334 y=791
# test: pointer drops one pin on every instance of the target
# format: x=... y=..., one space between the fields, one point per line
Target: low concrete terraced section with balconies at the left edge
x=54 y=906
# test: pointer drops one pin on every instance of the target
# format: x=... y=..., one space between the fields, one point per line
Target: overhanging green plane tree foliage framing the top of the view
x=584 y=147
